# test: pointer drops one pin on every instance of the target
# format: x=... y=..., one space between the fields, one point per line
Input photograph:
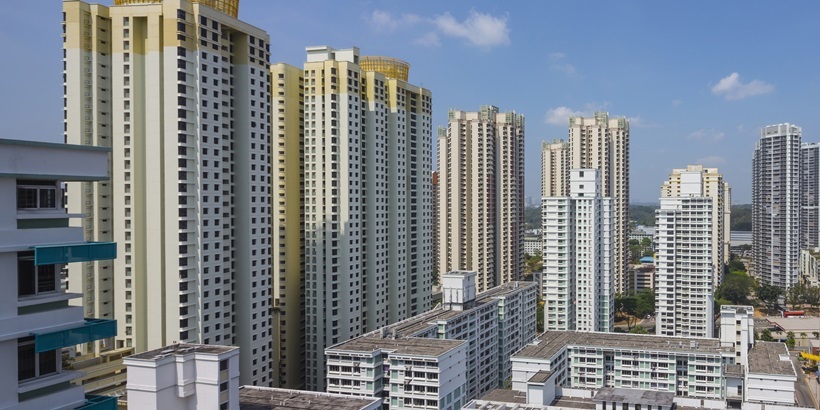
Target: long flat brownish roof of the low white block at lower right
x=549 y=343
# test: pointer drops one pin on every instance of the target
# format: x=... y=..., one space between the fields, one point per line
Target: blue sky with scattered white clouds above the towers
x=698 y=79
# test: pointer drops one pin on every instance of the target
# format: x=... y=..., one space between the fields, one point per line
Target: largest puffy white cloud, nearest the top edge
x=479 y=29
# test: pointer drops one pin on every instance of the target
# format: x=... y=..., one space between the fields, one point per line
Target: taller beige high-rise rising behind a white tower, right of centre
x=602 y=143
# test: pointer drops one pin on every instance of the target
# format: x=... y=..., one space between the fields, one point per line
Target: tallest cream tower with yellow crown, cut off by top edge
x=180 y=92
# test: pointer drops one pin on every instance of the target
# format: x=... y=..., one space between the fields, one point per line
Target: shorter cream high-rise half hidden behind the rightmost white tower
x=715 y=187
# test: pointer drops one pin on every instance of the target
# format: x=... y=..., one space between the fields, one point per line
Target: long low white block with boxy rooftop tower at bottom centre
x=491 y=325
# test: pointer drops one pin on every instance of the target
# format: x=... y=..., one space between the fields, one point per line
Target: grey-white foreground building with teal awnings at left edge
x=37 y=242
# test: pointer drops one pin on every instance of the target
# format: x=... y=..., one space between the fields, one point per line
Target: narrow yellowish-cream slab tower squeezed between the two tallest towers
x=288 y=221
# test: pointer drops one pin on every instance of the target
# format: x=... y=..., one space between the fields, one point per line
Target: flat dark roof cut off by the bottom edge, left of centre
x=265 y=398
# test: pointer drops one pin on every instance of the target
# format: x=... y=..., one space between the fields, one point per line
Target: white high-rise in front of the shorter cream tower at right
x=685 y=264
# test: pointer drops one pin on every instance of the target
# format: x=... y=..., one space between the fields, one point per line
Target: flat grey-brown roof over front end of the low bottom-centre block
x=402 y=345
